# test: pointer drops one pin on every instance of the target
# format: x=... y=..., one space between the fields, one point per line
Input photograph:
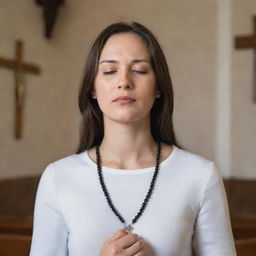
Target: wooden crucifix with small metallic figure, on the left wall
x=19 y=68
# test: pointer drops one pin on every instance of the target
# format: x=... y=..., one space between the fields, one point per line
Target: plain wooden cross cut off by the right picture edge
x=249 y=42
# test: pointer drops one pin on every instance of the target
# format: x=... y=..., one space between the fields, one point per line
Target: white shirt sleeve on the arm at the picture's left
x=50 y=233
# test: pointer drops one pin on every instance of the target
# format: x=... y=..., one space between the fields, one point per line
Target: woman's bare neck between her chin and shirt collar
x=127 y=146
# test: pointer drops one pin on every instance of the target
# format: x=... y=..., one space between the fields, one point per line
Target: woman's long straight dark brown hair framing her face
x=92 y=127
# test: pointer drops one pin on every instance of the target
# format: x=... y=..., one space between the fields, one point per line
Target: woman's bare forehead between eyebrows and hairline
x=125 y=45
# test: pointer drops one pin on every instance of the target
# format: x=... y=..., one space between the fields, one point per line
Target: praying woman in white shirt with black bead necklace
x=130 y=189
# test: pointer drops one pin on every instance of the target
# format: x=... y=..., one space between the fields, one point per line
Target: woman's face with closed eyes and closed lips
x=125 y=70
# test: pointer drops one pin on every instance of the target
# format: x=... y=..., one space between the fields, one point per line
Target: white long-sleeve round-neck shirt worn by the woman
x=188 y=207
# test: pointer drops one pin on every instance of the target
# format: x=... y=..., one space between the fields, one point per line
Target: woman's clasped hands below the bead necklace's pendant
x=124 y=244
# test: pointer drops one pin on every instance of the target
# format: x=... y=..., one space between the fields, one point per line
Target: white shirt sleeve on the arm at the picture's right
x=213 y=234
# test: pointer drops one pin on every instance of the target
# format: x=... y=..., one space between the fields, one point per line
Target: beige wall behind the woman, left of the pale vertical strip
x=186 y=30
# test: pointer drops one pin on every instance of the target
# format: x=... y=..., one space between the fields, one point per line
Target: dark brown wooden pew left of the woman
x=17 y=197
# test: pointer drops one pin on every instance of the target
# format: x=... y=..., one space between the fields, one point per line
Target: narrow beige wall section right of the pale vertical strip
x=243 y=109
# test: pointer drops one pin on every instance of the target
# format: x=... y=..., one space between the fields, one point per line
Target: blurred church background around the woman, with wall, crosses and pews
x=210 y=48
